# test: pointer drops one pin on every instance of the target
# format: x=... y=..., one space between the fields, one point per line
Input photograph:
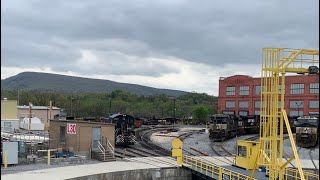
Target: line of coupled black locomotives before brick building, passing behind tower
x=225 y=126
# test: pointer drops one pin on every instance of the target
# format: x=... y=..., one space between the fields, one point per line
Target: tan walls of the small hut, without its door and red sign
x=81 y=141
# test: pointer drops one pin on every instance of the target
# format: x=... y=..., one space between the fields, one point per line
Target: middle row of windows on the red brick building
x=257 y=104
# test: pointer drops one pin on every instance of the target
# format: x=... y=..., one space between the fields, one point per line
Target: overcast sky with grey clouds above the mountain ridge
x=171 y=44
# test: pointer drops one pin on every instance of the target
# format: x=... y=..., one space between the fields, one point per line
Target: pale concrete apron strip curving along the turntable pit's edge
x=91 y=169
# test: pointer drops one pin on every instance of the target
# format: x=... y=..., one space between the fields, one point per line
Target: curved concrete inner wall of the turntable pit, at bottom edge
x=142 y=174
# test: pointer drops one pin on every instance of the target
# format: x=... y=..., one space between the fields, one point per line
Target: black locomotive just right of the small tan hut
x=124 y=131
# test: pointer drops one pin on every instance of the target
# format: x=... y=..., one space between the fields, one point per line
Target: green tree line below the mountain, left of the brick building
x=196 y=105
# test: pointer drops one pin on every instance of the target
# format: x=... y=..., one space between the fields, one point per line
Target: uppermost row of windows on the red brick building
x=294 y=89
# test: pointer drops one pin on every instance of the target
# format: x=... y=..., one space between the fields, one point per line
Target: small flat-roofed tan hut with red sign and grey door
x=81 y=136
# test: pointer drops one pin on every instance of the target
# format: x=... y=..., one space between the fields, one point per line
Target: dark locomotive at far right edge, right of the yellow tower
x=307 y=131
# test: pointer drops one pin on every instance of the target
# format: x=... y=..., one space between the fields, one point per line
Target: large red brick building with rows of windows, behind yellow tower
x=240 y=95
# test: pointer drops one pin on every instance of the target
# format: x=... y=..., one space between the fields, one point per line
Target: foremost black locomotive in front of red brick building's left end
x=223 y=127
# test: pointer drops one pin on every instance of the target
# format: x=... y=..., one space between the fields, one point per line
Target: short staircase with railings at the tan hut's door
x=103 y=153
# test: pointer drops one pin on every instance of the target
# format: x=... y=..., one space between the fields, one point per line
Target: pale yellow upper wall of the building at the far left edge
x=9 y=109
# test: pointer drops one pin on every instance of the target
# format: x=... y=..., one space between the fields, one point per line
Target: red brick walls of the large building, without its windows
x=242 y=80
